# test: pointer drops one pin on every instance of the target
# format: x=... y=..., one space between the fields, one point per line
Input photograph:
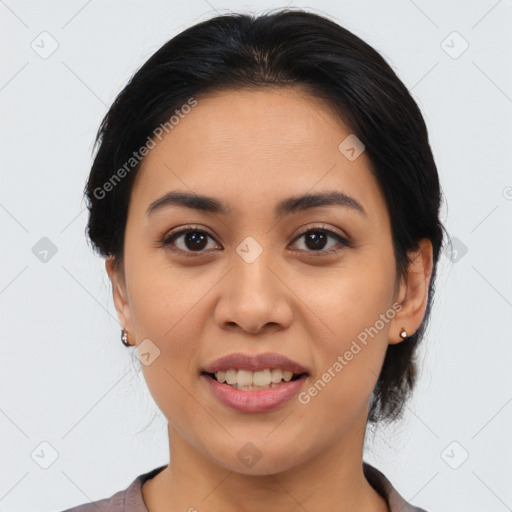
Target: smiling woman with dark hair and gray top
x=268 y=203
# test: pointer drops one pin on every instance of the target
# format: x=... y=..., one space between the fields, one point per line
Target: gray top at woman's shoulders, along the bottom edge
x=130 y=499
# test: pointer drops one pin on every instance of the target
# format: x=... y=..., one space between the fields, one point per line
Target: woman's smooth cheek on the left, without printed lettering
x=164 y=305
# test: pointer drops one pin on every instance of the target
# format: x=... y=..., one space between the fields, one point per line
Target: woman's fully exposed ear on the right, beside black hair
x=413 y=292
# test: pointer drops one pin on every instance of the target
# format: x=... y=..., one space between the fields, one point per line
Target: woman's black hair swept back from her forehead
x=287 y=48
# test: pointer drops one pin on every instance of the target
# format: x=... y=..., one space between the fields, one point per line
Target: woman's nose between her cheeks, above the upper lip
x=254 y=297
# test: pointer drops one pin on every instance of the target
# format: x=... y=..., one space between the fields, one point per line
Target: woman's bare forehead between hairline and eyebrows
x=255 y=146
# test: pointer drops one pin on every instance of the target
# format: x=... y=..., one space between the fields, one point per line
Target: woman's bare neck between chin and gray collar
x=332 y=480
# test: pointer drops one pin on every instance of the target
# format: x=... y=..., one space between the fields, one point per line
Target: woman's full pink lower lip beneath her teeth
x=261 y=400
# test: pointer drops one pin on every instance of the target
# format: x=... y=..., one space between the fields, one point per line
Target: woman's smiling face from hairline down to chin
x=268 y=275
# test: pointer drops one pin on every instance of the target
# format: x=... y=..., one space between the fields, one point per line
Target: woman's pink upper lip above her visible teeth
x=254 y=363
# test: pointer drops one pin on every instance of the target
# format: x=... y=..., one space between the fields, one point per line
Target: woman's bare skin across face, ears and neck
x=251 y=150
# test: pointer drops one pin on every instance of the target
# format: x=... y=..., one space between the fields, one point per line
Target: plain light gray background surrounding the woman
x=66 y=379
